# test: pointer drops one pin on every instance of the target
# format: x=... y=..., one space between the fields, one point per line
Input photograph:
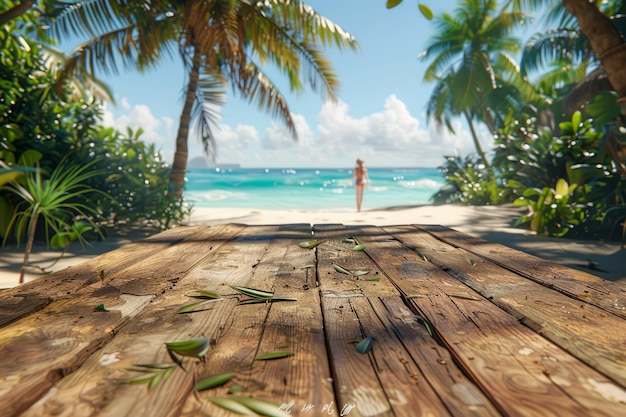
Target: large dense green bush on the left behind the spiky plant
x=37 y=119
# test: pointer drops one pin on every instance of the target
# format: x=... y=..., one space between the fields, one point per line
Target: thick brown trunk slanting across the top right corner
x=604 y=38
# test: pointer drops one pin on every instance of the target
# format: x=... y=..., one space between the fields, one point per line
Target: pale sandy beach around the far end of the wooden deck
x=492 y=223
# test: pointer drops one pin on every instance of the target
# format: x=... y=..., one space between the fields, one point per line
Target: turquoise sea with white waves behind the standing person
x=309 y=189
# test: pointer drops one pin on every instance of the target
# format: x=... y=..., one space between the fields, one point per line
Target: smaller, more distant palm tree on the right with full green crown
x=466 y=52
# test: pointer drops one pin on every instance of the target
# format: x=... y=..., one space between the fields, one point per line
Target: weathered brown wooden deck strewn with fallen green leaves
x=459 y=327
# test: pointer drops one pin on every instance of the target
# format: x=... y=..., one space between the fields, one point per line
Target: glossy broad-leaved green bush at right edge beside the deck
x=533 y=164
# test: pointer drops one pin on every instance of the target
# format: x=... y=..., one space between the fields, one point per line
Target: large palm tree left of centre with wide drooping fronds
x=221 y=42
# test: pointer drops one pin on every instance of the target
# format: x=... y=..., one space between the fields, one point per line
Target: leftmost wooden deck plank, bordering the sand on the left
x=35 y=295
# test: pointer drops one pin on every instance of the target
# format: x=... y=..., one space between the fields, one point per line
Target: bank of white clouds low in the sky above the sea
x=391 y=137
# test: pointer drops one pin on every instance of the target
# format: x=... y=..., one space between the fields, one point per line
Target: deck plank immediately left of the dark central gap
x=302 y=382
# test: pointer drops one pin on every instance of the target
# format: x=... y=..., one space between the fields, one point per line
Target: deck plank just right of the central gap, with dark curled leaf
x=383 y=381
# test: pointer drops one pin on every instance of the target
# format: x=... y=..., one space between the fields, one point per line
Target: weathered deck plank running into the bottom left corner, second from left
x=63 y=335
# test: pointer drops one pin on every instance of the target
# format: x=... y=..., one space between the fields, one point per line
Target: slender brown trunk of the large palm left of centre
x=179 y=166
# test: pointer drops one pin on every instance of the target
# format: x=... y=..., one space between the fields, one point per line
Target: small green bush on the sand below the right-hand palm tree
x=469 y=182
